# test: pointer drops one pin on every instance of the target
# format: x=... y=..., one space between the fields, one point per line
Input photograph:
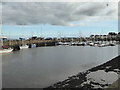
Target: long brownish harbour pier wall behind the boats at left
x=15 y=44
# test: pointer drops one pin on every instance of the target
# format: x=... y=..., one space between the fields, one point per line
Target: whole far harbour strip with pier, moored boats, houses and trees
x=7 y=45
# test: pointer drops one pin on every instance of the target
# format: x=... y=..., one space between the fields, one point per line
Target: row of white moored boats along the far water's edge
x=7 y=49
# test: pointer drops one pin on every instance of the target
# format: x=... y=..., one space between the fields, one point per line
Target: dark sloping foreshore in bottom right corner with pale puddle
x=94 y=78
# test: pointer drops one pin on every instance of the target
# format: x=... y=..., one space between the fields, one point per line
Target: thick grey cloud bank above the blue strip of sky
x=18 y=13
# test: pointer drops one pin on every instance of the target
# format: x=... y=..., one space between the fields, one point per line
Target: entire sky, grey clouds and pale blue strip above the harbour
x=58 y=19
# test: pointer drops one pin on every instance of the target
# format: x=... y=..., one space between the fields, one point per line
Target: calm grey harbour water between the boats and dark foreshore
x=41 y=67
